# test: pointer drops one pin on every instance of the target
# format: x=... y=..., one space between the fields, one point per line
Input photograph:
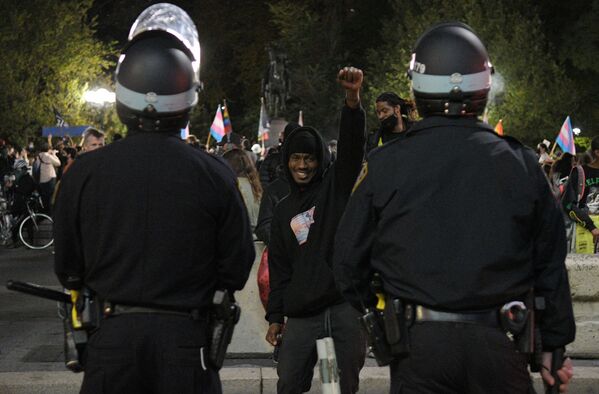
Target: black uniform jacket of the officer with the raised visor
x=152 y=221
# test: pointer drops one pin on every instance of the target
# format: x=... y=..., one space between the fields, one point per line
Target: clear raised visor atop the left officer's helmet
x=173 y=20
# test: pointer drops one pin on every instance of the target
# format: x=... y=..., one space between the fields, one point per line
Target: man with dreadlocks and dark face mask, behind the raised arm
x=393 y=113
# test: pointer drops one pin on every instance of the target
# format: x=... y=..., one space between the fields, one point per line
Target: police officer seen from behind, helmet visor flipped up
x=152 y=226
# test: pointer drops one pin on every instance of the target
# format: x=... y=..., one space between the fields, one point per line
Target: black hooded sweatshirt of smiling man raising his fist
x=301 y=278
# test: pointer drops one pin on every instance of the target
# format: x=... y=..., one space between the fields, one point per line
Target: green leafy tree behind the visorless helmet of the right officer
x=537 y=94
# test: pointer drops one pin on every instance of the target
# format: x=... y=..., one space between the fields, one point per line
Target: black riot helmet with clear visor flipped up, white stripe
x=157 y=77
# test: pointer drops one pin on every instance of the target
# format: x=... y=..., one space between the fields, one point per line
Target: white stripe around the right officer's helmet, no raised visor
x=426 y=83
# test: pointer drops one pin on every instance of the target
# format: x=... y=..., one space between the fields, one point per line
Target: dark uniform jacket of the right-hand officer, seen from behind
x=456 y=218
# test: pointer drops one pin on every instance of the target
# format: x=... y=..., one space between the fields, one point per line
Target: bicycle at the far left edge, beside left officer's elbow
x=35 y=229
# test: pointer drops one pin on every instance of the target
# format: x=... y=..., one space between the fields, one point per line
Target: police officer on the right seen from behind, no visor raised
x=462 y=243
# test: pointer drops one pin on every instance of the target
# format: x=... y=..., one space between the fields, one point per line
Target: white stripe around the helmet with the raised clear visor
x=162 y=103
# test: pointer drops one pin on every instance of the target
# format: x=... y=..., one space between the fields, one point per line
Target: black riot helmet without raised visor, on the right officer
x=450 y=71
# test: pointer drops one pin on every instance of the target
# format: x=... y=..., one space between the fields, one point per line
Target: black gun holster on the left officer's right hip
x=223 y=318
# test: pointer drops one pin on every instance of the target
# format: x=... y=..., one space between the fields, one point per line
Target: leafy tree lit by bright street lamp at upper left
x=50 y=58
